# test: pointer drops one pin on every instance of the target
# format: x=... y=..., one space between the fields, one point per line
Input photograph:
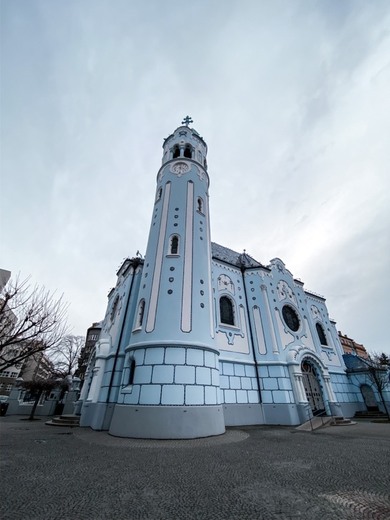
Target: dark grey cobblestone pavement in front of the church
x=269 y=473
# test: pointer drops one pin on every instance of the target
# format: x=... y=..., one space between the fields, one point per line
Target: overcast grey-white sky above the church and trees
x=292 y=98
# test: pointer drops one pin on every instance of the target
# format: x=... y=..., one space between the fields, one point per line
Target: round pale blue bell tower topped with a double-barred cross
x=171 y=375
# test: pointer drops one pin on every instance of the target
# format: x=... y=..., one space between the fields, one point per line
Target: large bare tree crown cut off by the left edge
x=32 y=320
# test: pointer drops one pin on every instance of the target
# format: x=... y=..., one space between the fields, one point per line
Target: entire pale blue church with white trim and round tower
x=197 y=337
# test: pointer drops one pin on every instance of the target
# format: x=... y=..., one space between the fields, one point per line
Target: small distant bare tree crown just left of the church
x=65 y=355
